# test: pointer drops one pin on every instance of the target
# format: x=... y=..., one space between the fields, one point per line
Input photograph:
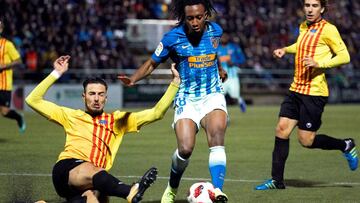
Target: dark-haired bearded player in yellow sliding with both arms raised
x=93 y=138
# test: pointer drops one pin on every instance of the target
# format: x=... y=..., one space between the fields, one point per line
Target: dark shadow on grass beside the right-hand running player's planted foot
x=309 y=183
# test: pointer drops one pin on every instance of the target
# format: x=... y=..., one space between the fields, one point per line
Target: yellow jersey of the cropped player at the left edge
x=8 y=54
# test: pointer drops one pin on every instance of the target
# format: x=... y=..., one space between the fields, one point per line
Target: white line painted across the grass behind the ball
x=166 y=178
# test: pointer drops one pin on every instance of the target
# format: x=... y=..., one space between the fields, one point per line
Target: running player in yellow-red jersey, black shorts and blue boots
x=318 y=48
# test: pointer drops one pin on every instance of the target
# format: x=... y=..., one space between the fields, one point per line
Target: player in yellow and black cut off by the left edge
x=9 y=58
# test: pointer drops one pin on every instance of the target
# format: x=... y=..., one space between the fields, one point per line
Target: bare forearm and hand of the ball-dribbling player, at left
x=145 y=69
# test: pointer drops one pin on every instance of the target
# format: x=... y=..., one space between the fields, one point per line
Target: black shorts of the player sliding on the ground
x=60 y=176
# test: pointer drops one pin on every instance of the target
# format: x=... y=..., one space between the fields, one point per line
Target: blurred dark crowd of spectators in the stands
x=93 y=31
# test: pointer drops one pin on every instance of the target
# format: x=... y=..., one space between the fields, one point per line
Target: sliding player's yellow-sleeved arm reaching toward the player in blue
x=158 y=111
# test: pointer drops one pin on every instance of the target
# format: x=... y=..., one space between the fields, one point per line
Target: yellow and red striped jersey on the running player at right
x=322 y=42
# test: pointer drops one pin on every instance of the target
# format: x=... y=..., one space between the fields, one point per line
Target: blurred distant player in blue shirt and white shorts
x=231 y=57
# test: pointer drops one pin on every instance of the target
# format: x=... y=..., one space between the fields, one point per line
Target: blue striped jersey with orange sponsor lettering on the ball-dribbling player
x=197 y=64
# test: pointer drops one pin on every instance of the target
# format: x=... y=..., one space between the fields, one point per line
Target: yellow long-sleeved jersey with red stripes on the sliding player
x=95 y=139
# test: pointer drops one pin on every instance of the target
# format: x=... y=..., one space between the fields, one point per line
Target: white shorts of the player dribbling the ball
x=197 y=109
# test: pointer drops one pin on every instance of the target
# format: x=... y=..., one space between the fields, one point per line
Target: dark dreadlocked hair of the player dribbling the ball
x=178 y=8
